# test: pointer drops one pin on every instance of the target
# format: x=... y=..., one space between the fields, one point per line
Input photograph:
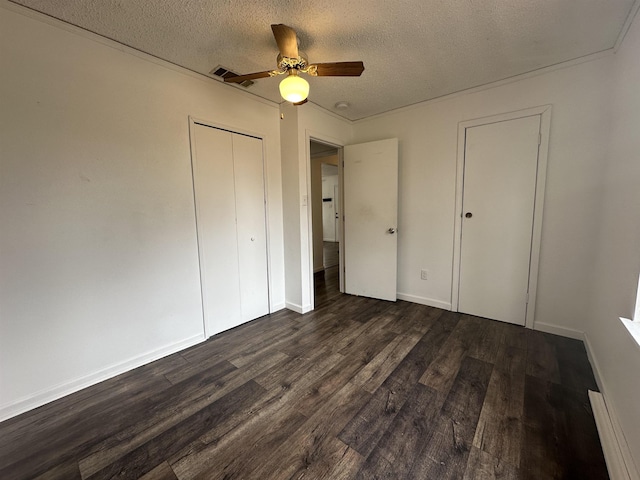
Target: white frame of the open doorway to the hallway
x=332 y=142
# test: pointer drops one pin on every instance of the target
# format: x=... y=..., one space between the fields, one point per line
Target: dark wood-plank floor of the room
x=357 y=389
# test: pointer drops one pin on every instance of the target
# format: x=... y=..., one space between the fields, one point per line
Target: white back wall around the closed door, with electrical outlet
x=427 y=136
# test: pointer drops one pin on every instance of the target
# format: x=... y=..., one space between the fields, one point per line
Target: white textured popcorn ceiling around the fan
x=413 y=50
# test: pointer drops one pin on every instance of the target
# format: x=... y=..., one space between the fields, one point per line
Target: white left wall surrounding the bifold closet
x=98 y=254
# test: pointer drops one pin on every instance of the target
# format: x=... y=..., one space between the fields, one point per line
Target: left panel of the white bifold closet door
x=216 y=219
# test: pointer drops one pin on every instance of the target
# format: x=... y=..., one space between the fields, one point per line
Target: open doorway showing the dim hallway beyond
x=326 y=225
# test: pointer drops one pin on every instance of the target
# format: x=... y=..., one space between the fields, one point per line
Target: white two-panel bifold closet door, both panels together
x=230 y=215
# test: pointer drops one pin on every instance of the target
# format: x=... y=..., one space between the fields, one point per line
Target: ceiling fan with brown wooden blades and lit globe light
x=290 y=61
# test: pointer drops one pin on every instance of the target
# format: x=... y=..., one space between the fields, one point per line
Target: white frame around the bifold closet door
x=193 y=121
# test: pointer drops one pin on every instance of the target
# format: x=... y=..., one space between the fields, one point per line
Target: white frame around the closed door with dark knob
x=544 y=112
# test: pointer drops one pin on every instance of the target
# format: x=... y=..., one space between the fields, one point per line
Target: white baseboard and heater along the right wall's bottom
x=617 y=454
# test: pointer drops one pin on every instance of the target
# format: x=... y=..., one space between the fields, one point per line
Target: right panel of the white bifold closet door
x=251 y=226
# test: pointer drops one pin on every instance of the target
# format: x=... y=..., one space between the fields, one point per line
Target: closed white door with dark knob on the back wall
x=500 y=169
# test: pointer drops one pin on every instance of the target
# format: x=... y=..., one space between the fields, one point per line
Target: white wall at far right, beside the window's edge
x=616 y=268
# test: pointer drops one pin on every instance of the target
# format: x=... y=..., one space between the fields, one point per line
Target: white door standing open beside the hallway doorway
x=371 y=217
